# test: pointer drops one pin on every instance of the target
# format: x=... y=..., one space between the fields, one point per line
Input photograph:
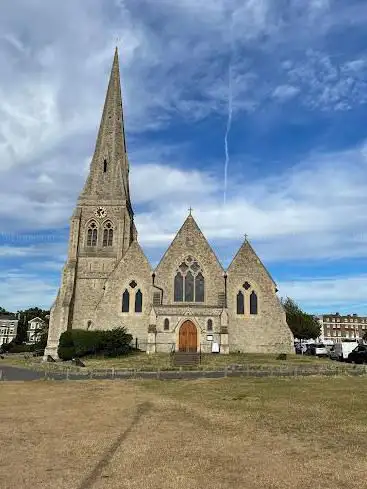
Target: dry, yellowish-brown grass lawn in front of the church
x=227 y=433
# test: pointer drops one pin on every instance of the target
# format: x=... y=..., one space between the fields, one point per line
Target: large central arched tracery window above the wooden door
x=189 y=282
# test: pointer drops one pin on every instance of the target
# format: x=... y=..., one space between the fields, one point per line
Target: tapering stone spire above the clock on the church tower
x=108 y=178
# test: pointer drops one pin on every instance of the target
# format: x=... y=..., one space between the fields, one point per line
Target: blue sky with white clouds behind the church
x=293 y=76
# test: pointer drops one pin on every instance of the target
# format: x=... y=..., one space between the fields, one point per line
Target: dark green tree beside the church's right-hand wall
x=303 y=326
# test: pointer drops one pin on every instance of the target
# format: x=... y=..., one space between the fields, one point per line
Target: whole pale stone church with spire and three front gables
x=189 y=302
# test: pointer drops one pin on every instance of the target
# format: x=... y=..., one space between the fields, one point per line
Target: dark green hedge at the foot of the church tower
x=79 y=343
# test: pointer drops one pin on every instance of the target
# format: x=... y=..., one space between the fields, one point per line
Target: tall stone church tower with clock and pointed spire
x=102 y=225
